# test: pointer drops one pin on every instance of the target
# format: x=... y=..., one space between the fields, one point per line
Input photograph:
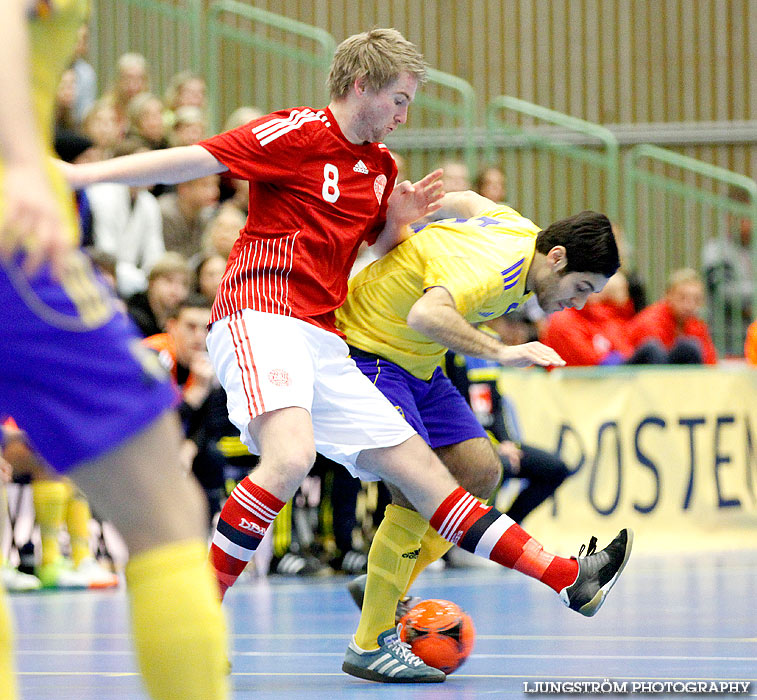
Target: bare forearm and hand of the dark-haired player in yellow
x=436 y=316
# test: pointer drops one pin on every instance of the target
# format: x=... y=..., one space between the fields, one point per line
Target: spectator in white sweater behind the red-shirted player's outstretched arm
x=127 y=223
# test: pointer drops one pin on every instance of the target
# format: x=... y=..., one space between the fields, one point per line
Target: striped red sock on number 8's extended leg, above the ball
x=463 y=520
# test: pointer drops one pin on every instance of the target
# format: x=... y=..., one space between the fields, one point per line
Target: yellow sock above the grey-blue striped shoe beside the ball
x=390 y=562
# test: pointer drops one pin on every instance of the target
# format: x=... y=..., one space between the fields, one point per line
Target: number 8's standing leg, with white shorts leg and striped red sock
x=266 y=366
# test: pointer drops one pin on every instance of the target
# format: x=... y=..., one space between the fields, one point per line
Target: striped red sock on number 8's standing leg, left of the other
x=243 y=522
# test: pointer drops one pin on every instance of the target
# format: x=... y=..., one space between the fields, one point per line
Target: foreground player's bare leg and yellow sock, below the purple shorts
x=178 y=625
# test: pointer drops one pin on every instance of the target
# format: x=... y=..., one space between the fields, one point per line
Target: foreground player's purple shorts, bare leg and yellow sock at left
x=93 y=414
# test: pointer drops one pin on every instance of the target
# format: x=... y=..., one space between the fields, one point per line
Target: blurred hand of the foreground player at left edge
x=33 y=221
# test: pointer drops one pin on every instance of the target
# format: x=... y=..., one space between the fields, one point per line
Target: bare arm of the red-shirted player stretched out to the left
x=167 y=166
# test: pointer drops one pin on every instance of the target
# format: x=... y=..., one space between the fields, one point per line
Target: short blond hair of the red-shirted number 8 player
x=378 y=57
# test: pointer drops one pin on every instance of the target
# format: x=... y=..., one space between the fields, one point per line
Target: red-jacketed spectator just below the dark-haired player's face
x=597 y=333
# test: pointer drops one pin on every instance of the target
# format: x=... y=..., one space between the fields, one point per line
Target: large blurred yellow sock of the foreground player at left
x=178 y=626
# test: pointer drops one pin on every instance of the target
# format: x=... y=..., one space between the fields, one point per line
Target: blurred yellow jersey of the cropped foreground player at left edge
x=53 y=25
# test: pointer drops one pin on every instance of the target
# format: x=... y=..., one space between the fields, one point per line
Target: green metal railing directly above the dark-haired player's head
x=560 y=164
